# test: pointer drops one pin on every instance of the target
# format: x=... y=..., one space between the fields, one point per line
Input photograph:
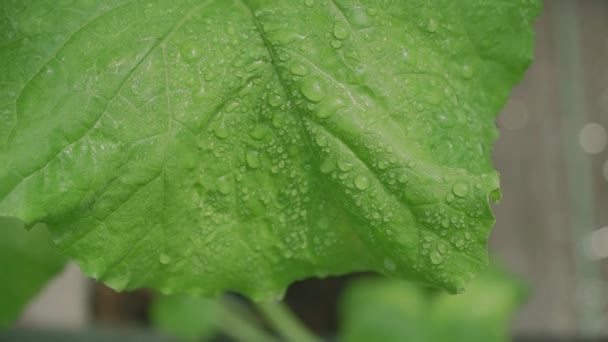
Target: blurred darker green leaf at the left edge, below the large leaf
x=28 y=260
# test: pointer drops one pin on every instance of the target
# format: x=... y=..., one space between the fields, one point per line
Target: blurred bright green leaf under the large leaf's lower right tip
x=391 y=310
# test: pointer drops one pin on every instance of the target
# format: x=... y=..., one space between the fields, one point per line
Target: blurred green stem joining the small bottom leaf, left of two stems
x=232 y=323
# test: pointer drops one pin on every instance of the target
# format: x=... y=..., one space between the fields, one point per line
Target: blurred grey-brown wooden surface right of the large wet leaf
x=538 y=233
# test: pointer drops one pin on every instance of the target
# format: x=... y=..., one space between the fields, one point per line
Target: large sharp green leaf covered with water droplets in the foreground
x=202 y=146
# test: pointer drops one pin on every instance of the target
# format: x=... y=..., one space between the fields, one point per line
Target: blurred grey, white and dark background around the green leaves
x=552 y=224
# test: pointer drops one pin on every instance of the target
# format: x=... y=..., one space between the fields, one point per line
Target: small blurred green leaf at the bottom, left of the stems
x=190 y=318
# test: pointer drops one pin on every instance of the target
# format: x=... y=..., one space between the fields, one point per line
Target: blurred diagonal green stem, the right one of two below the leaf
x=287 y=325
